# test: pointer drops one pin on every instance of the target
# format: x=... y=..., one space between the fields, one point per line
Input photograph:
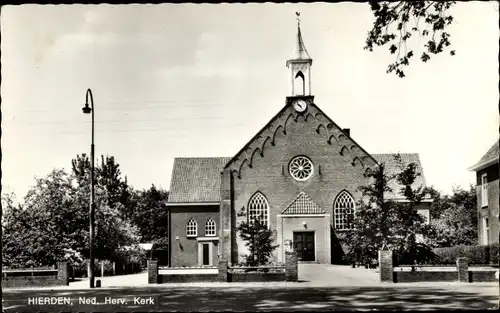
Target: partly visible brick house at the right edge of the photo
x=487 y=190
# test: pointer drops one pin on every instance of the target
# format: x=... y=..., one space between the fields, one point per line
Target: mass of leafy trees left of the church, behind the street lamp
x=53 y=222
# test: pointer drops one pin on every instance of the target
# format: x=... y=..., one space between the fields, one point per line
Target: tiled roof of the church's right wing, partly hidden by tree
x=392 y=168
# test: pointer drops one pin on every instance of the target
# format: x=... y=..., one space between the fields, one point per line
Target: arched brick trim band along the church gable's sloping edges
x=321 y=125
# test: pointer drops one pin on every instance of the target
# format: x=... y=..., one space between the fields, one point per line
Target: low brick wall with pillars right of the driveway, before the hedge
x=460 y=272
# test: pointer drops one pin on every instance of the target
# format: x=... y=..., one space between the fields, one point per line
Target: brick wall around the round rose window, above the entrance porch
x=269 y=173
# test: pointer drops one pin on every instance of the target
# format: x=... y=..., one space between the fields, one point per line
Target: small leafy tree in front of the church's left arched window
x=259 y=241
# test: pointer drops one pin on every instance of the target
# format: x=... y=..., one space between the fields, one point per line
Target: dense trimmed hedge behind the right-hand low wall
x=474 y=254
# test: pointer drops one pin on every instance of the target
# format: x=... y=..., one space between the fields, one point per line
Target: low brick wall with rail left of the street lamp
x=39 y=277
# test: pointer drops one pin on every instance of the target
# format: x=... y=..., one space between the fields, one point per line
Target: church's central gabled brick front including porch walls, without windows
x=336 y=168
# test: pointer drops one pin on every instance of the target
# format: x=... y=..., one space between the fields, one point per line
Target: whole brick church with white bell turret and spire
x=300 y=172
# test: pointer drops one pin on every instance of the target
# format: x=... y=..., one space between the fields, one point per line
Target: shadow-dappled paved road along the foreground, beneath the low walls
x=255 y=297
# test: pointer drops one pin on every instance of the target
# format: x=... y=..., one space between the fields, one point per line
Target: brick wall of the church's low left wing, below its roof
x=184 y=252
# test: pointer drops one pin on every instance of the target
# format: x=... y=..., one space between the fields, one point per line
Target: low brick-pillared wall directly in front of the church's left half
x=223 y=273
